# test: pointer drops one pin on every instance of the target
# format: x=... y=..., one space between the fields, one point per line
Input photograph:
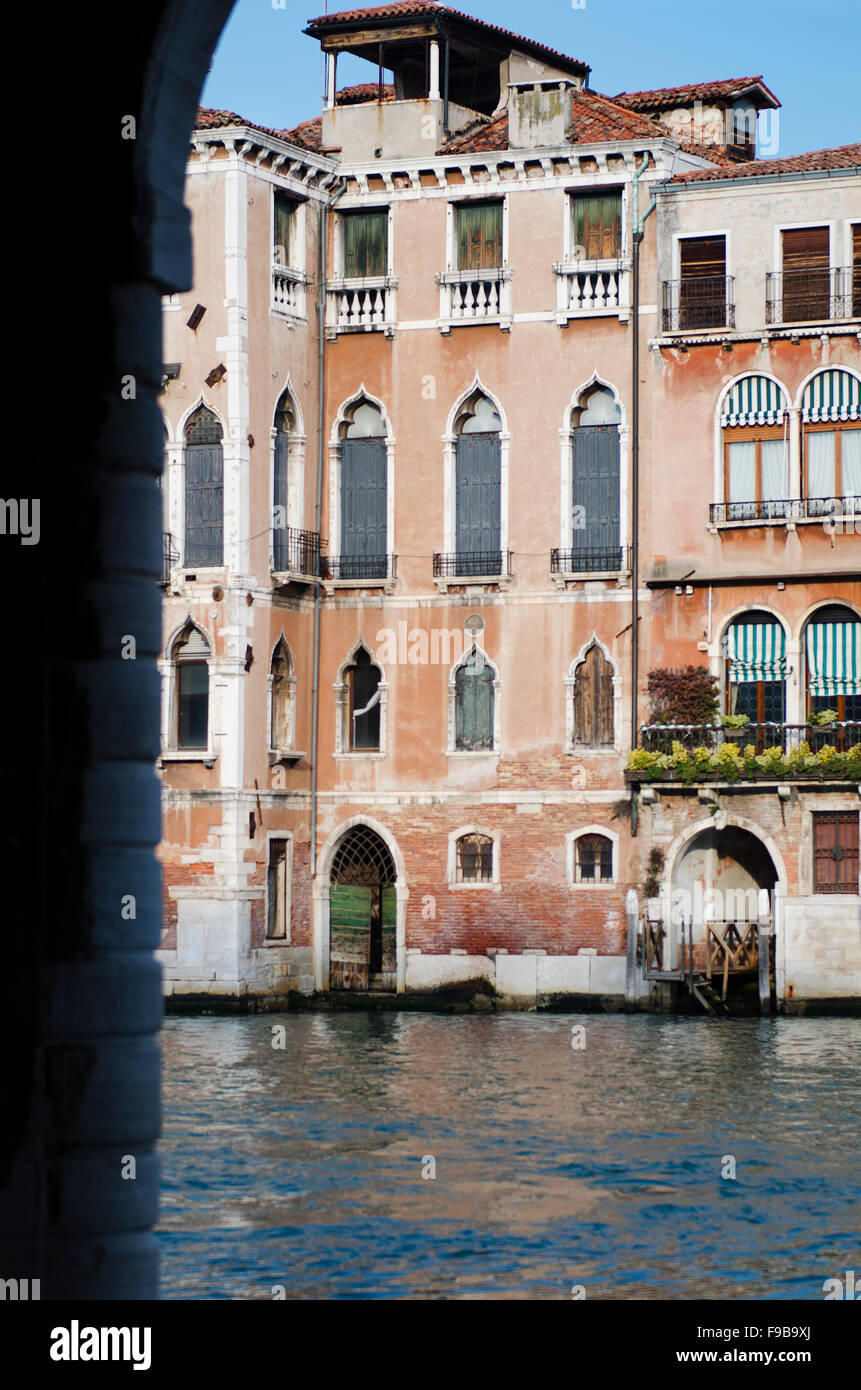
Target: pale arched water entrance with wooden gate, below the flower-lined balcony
x=718 y=908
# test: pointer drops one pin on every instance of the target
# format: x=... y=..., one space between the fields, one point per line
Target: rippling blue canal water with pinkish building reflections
x=554 y=1167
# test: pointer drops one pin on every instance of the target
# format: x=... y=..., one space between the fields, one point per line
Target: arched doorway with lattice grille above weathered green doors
x=362 y=928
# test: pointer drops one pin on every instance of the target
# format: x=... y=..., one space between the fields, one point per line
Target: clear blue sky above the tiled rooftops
x=807 y=51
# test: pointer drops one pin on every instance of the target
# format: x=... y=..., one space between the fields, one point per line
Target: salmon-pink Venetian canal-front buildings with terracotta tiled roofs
x=422 y=532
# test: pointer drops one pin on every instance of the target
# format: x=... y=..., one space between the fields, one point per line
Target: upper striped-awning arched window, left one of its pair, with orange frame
x=756 y=451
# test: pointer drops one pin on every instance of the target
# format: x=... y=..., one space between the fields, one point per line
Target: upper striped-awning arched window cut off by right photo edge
x=831 y=423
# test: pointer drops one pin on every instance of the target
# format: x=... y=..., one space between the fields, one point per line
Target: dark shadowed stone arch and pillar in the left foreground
x=80 y=793
